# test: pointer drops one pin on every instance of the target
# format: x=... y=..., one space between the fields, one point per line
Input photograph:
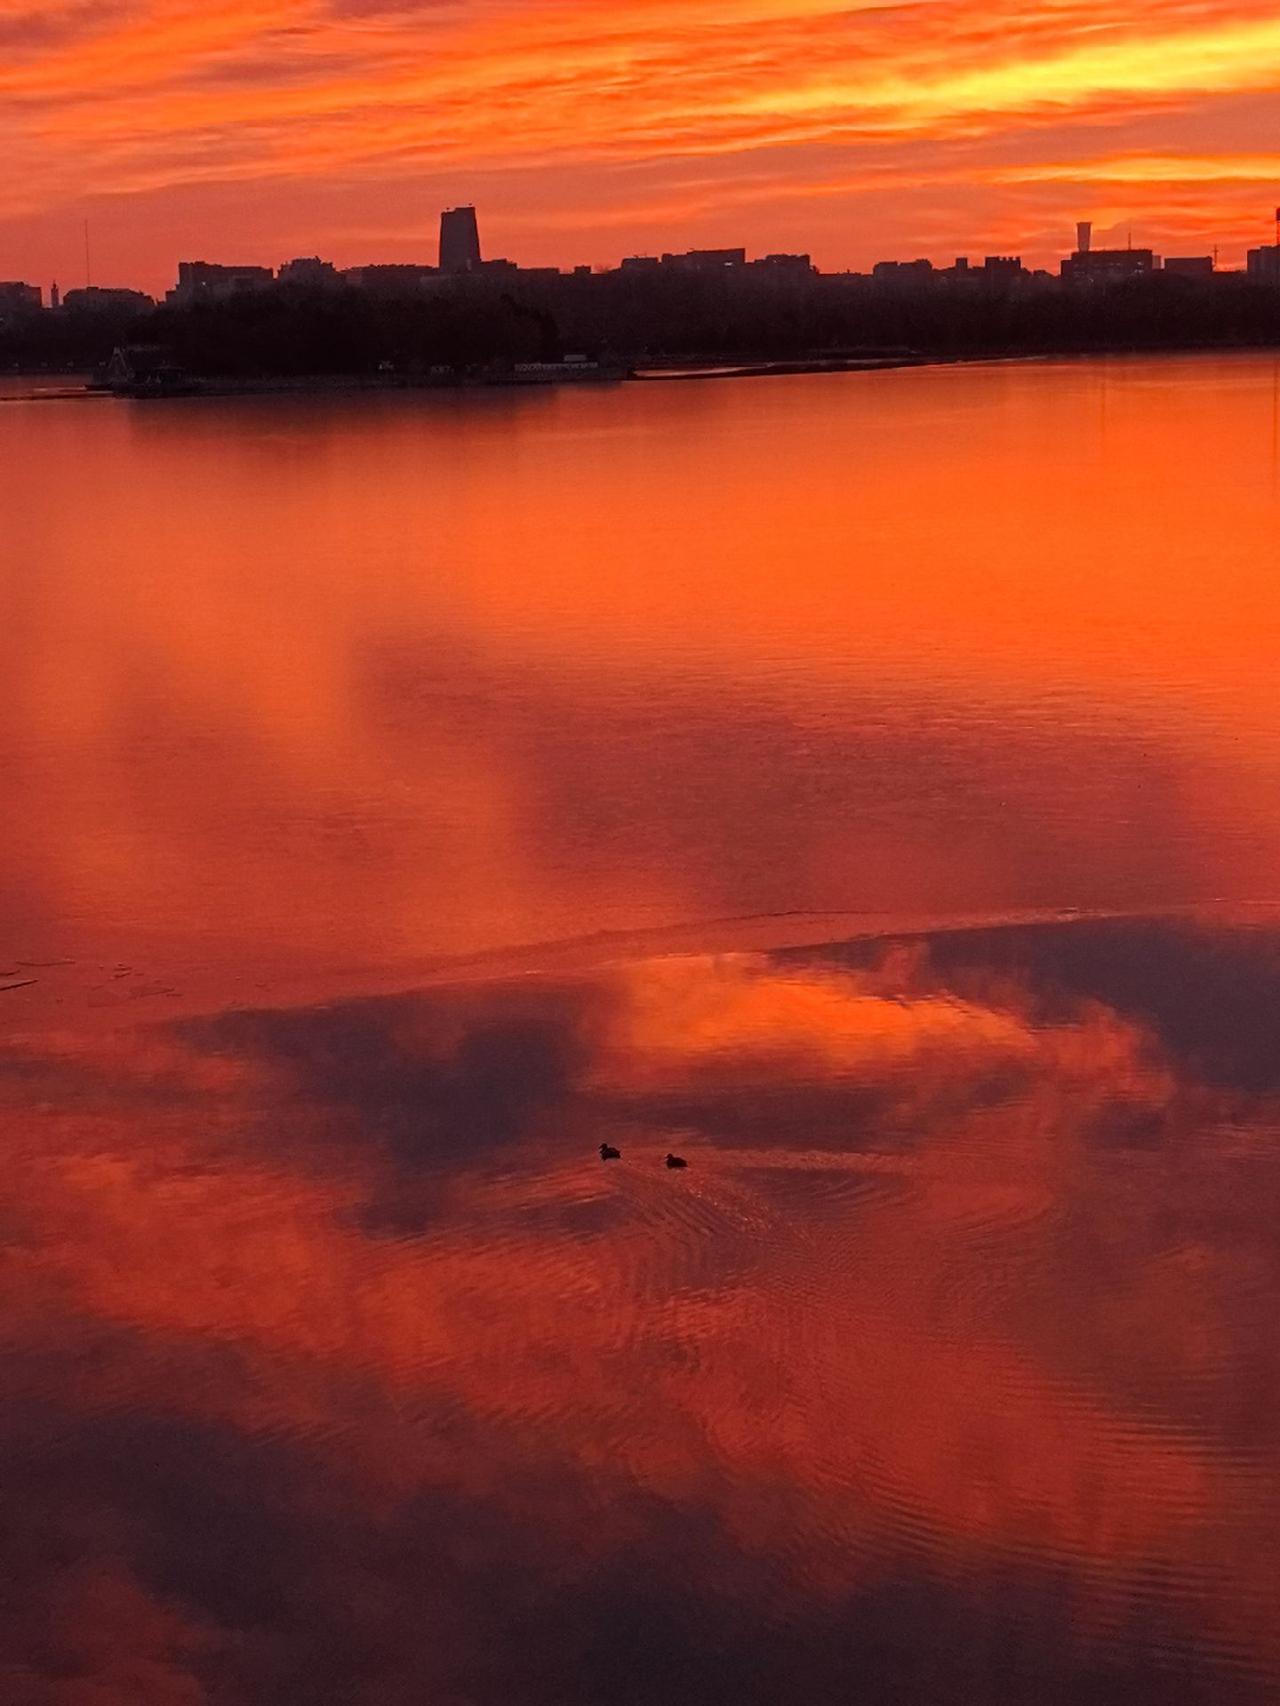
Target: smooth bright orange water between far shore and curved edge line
x=358 y=682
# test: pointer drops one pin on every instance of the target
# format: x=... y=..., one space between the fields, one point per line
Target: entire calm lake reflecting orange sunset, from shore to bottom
x=866 y=787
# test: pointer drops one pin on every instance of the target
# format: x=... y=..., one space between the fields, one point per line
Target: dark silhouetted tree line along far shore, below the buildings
x=655 y=316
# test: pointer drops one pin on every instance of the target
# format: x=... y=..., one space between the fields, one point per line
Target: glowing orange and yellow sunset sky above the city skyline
x=253 y=131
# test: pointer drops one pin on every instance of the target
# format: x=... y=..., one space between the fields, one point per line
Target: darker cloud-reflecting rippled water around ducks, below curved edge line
x=342 y=1369
